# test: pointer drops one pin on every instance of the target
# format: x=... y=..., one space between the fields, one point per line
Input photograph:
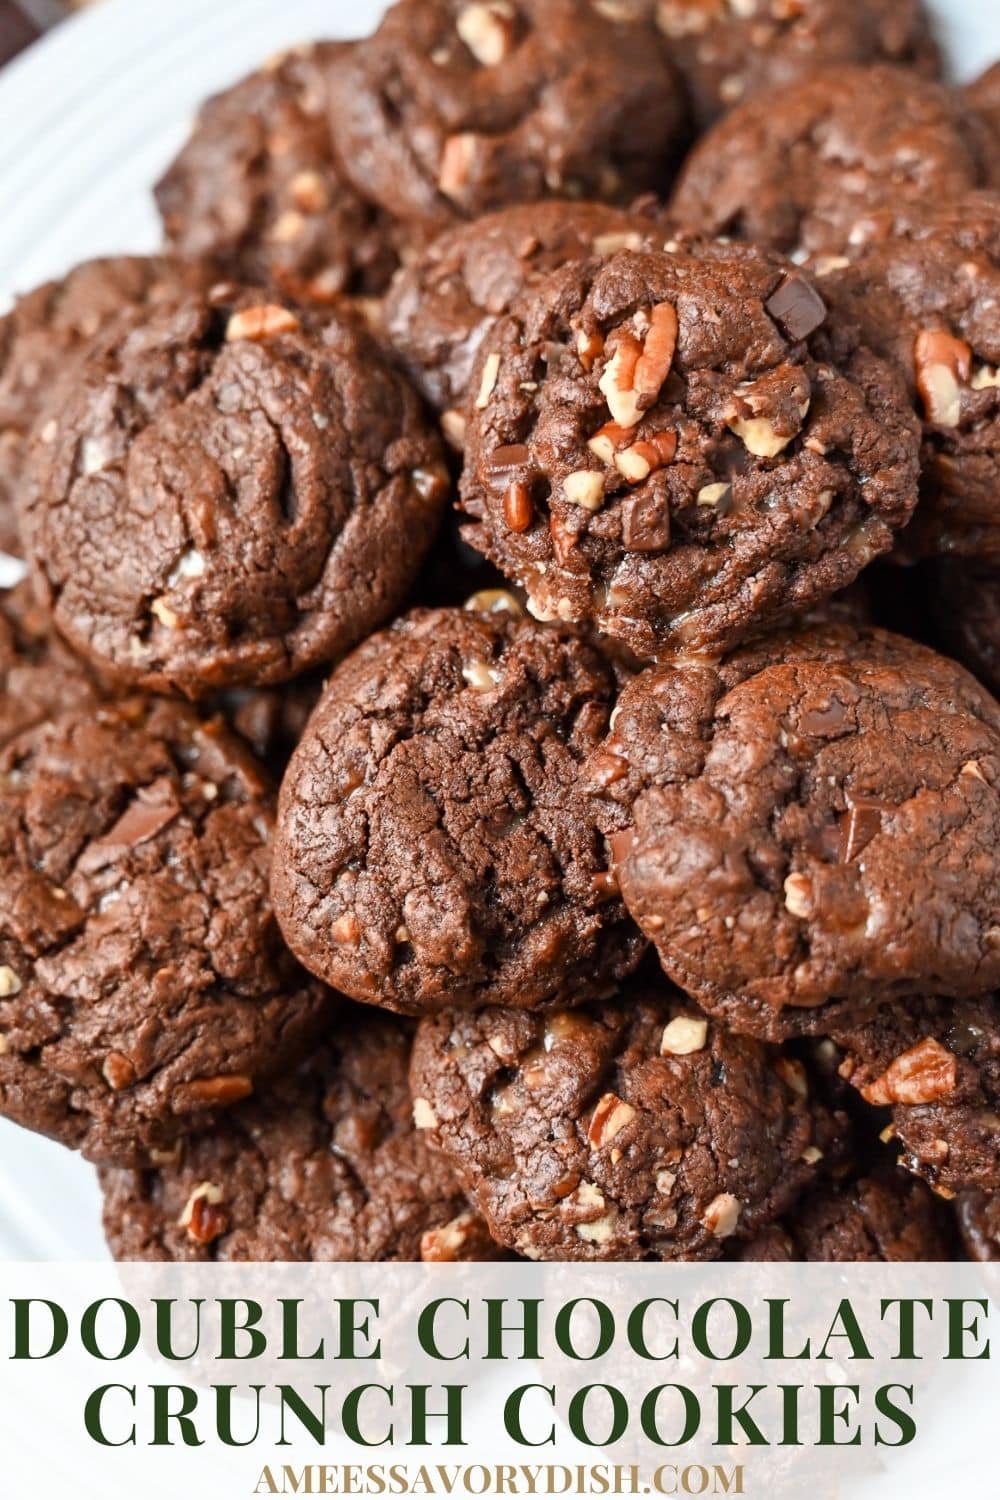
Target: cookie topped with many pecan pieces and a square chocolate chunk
x=663 y=445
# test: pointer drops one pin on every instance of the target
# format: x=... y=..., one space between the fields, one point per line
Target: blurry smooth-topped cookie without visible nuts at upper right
x=834 y=161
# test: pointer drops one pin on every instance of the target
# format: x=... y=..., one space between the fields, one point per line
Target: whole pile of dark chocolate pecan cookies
x=460 y=796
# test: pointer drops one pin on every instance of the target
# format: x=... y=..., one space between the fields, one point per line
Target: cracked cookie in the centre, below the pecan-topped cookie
x=437 y=845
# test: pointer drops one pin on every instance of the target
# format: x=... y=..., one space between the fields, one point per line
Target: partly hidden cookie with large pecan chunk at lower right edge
x=938 y=1064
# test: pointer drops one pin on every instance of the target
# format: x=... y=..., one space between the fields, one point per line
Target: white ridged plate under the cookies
x=89 y=119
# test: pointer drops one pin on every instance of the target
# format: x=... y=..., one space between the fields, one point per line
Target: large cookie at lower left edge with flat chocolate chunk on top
x=143 y=979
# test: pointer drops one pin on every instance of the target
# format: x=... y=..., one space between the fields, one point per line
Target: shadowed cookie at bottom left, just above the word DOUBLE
x=326 y=1165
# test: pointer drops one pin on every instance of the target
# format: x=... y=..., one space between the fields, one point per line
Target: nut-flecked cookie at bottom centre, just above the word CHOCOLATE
x=621 y=1132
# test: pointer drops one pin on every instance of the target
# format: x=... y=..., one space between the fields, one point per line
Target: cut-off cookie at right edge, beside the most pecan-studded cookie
x=929 y=302
